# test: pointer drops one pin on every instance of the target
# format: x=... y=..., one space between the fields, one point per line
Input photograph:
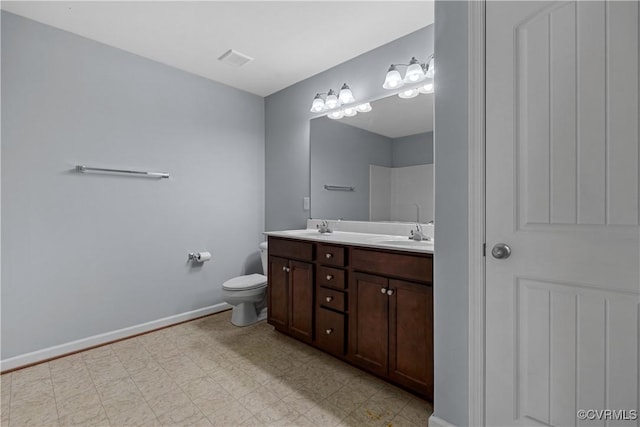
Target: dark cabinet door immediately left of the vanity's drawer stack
x=301 y=300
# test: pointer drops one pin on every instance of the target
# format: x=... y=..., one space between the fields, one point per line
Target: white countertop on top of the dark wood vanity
x=378 y=241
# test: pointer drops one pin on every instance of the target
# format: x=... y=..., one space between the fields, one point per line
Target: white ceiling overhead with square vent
x=290 y=40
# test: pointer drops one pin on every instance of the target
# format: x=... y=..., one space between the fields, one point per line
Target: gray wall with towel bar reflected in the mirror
x=341 y=155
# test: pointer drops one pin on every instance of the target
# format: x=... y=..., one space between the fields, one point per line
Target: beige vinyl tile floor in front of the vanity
x=202 y=373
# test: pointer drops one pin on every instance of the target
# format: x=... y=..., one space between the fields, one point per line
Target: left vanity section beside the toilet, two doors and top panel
x=291 y=288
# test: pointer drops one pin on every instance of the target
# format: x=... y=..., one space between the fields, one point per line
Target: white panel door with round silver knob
x=562 y=312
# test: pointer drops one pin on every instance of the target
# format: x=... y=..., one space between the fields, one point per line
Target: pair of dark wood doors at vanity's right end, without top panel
x=390 y=330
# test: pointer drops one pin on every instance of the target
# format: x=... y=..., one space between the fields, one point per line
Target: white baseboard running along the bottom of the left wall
x=95 y=340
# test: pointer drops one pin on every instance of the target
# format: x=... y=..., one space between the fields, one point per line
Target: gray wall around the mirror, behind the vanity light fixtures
x=287 y=122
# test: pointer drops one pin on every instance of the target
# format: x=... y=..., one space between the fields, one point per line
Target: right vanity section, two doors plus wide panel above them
x=391 y=317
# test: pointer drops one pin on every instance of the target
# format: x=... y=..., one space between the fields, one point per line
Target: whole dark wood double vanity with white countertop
x=364 y=298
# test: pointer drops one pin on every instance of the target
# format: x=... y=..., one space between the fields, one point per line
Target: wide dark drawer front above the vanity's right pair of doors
x=405 y=266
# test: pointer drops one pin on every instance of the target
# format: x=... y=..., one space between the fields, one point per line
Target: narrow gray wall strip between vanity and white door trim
x=451 y=300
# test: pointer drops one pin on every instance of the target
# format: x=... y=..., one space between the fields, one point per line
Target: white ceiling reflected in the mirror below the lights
x=395 y=117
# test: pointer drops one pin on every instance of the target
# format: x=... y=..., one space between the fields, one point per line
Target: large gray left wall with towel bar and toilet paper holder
x=88 y=254
